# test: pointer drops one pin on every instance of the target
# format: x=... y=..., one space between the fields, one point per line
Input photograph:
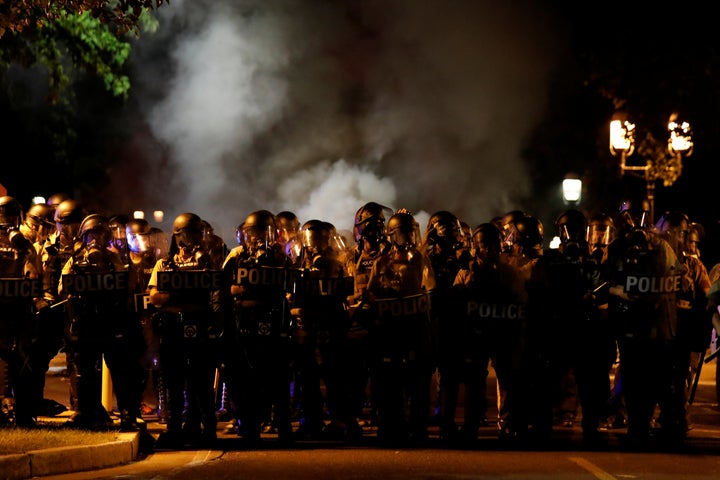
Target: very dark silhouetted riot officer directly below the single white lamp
x=569 y=332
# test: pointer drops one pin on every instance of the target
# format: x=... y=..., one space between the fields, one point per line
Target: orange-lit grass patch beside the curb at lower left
x=23 y=440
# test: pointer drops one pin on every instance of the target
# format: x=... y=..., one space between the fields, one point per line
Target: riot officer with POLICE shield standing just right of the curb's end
x=187 y=288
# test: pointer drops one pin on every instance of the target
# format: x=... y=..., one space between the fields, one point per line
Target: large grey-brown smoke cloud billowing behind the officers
x=321 y=106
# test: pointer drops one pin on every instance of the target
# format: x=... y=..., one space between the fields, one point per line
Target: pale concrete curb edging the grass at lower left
x=54 y=461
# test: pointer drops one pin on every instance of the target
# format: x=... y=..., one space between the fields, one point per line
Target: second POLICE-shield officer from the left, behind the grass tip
x=98 y=327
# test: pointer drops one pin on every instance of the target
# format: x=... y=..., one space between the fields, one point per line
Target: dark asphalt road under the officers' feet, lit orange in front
x=563 y=457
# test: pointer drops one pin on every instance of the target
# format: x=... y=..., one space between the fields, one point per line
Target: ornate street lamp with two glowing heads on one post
x=662 y=162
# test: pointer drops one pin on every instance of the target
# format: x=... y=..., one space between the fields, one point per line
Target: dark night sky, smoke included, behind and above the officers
x=320 y=106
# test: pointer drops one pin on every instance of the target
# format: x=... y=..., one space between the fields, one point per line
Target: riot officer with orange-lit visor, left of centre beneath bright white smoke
x=321 y=335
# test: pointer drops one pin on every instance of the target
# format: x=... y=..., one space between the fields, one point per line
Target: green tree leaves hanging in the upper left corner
x=88 y=33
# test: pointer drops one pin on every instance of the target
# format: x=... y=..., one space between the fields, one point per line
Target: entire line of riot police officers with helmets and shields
x=294 y=322
